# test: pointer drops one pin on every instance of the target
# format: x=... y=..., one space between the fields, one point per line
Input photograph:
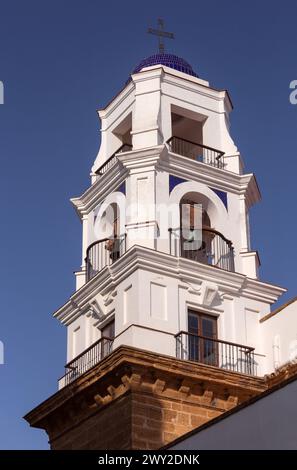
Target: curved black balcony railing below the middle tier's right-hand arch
x=206 y=246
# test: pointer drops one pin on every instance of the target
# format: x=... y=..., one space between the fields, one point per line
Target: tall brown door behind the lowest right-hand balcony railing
x=202 y=331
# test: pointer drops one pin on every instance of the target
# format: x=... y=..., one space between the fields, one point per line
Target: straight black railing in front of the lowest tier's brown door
x=213 y=352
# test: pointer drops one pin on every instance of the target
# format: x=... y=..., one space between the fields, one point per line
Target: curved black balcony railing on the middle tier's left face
x=103 y=253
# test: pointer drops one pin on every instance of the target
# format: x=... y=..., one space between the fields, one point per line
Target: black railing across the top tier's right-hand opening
x=200 y=153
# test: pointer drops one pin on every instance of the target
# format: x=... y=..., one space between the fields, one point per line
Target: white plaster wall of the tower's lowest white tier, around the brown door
x=159 y=304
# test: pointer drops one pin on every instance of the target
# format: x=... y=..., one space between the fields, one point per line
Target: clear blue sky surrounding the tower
x=62 y=60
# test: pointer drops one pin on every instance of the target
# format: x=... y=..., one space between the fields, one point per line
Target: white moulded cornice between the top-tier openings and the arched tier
x=161 y=158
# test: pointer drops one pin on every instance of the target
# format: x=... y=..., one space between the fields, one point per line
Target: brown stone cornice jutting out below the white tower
x=131 y=369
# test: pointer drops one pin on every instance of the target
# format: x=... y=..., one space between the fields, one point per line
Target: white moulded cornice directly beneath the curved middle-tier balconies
x=157 y=262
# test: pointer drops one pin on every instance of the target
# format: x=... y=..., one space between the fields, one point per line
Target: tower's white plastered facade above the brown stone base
x=149 y=286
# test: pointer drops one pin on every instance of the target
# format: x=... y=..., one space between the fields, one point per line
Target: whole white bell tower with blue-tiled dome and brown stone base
x=163 y=330
